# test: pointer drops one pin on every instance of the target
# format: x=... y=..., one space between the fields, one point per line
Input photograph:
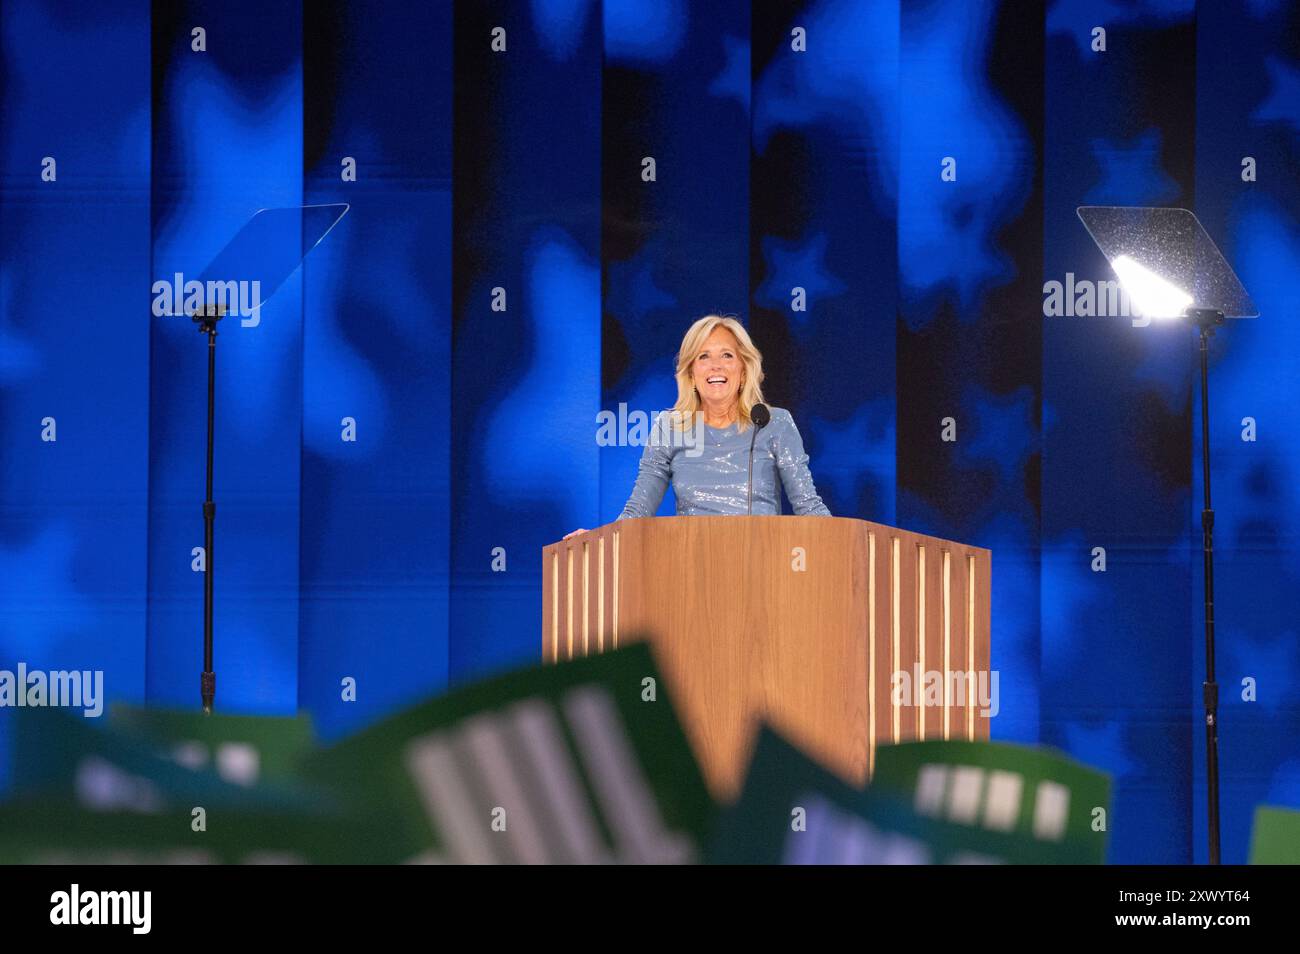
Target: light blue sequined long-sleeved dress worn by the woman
x=712 y=479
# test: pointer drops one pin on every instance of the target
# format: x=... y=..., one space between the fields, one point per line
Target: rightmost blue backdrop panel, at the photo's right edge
x=1249 y=198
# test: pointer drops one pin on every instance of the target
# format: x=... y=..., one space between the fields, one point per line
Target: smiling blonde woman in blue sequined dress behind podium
x=703 y=445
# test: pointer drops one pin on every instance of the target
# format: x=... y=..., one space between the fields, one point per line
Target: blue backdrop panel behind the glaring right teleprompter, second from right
x=1117 y=452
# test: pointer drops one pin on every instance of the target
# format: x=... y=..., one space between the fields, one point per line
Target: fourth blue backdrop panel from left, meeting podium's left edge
x=526 y=359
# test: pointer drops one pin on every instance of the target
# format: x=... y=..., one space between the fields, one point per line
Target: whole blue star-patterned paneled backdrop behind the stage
x=882 y=192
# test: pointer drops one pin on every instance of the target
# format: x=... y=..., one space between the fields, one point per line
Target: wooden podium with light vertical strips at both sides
x=798 y=622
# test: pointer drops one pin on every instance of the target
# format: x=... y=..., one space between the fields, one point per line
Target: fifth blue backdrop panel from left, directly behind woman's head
x=675 y=92
